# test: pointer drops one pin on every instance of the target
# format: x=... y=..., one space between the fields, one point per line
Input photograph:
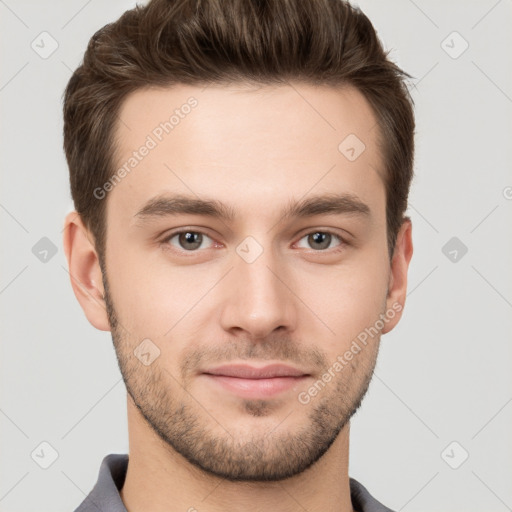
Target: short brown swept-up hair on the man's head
x=197 y=42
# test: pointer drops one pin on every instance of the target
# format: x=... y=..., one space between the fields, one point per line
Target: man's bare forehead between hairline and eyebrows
x=245 y=144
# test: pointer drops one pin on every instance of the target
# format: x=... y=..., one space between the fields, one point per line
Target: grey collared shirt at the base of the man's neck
x=105 y=497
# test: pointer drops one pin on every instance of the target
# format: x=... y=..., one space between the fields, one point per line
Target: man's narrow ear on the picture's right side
x=397 y=287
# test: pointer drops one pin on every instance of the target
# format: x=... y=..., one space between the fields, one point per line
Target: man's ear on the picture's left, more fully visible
x=85 y=271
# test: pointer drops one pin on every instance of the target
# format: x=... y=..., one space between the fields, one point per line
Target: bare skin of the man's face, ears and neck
x=194 y=444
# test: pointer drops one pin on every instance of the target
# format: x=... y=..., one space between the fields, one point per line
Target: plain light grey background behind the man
x=443 y=373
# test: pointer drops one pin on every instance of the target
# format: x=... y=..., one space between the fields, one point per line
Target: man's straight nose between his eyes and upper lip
x=258 y=297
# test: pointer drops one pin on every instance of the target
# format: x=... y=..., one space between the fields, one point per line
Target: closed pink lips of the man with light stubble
x=256 y=382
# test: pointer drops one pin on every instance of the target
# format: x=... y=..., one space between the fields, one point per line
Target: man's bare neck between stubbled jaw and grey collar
x=159 y=479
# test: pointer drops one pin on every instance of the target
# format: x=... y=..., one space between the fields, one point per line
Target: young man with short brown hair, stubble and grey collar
x=240 y=172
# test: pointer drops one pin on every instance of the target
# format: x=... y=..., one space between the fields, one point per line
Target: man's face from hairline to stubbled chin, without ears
x=257 y=289
